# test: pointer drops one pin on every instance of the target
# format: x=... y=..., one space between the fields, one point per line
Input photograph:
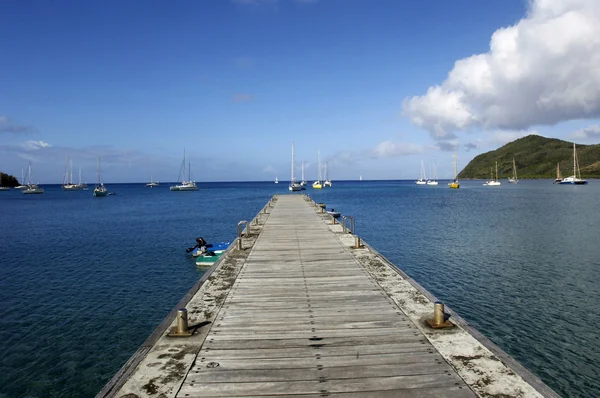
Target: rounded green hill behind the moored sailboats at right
x=536 y=157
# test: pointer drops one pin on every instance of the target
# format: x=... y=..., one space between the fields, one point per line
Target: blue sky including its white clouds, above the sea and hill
x=374 y=85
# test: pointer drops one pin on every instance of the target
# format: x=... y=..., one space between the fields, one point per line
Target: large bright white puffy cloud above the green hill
x=543 y=70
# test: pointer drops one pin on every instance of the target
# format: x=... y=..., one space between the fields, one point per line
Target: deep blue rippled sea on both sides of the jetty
x=84 y=281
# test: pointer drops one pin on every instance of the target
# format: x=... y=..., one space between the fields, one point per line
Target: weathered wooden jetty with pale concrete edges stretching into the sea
x=307 y=316
